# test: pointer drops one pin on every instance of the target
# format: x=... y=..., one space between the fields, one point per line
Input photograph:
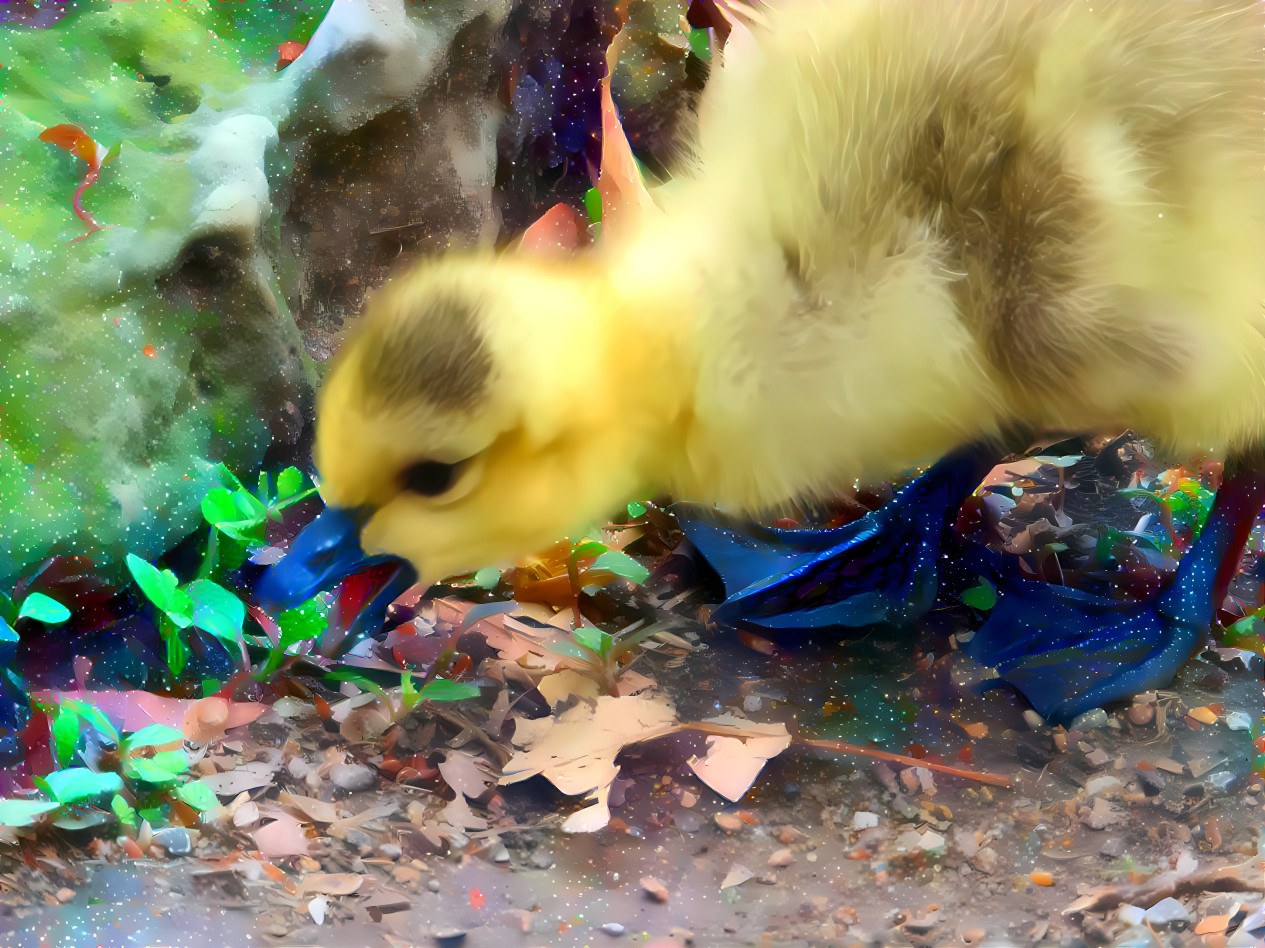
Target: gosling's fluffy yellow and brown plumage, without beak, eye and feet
x=904 y=226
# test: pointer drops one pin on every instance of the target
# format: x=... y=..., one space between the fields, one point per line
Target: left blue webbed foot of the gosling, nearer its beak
x=881 y=569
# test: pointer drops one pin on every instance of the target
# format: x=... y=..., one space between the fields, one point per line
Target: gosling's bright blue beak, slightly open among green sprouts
x=323 y=555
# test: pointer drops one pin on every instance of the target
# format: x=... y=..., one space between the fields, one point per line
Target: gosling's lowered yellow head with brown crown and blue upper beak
x=480 y=412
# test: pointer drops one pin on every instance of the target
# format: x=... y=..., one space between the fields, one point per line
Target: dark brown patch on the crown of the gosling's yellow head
x=426 y=352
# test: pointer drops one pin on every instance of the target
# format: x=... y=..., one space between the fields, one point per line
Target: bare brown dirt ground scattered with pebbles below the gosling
x=1142 y=828
